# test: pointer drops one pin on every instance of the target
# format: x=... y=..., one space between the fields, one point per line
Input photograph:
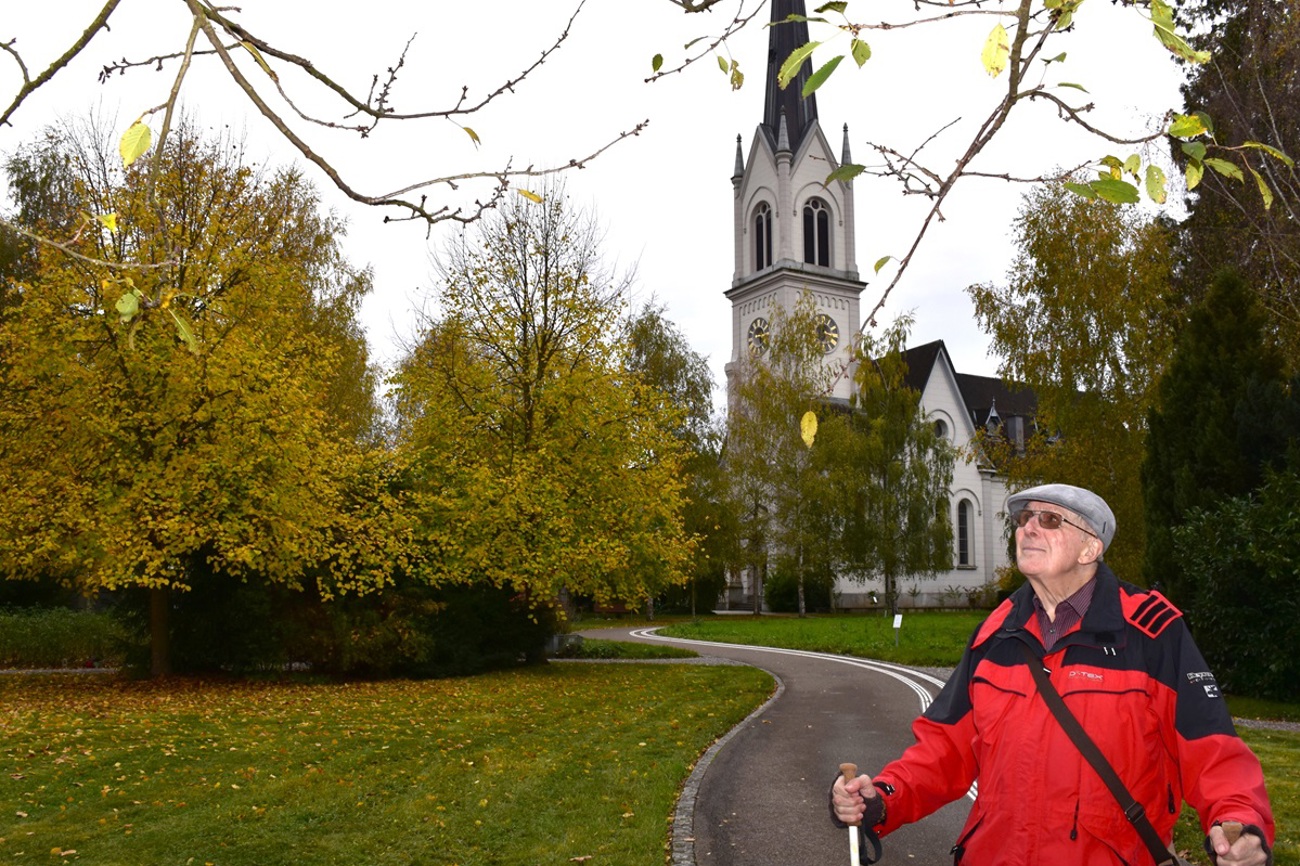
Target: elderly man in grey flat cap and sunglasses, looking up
x=1128 y=670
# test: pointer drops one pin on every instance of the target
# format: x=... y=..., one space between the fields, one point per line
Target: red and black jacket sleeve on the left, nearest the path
x=941 y=767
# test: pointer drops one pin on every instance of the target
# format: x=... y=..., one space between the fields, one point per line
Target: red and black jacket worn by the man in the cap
x=1138 y=685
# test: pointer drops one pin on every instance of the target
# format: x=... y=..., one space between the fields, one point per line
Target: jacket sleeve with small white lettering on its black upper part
x=1220 y=776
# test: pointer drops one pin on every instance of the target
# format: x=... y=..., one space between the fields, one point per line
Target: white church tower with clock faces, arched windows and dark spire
x=794 y=233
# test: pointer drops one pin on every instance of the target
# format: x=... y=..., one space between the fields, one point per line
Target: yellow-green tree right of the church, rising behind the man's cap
x=1087 y=322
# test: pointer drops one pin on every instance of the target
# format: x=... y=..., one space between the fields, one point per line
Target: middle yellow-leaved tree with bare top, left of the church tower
x=540 y=460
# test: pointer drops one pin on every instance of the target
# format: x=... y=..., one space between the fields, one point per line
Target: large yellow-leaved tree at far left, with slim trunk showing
x=185 y=410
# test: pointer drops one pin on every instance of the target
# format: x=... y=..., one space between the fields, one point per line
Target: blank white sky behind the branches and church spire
x=665 y=197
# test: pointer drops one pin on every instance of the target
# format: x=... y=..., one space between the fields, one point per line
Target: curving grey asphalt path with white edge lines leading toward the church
x=760 y=796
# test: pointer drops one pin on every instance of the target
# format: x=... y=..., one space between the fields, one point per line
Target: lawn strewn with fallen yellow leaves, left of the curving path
x=556 y=764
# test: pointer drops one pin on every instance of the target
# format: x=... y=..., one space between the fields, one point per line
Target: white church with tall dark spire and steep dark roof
x=795 y=236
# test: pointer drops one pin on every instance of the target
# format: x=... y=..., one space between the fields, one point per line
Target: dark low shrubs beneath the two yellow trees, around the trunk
x=410 y=630
